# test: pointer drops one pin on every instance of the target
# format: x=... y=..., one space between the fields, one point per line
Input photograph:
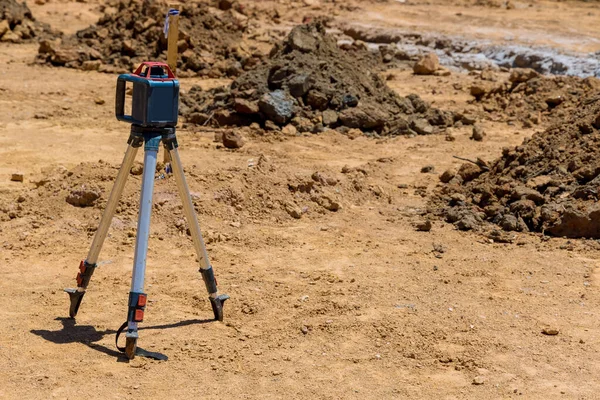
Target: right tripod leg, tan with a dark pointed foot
x=206 y=270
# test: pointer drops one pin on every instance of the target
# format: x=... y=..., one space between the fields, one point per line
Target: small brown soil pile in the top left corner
x=17 y=24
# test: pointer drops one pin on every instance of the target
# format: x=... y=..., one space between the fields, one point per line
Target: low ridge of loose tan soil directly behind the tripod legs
x=266 y=189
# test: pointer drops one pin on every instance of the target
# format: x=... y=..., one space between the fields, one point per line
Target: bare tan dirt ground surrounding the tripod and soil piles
x=352 y=304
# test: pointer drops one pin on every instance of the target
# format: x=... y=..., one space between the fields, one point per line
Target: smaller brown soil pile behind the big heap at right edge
x=531 y=99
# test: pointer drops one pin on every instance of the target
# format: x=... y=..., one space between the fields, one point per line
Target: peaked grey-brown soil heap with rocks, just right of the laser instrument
x=308 y=84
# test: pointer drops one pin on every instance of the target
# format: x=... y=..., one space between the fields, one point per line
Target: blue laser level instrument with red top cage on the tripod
x=155 y=99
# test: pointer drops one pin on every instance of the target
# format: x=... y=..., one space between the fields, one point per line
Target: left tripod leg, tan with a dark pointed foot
x=87 y=266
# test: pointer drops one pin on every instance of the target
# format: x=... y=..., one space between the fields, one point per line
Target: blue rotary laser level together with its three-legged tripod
x=155 y=104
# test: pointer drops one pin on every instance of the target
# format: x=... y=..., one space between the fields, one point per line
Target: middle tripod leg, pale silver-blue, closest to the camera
x=137 y=297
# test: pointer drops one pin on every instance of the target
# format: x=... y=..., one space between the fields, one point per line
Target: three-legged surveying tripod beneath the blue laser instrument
x=150 y=137
